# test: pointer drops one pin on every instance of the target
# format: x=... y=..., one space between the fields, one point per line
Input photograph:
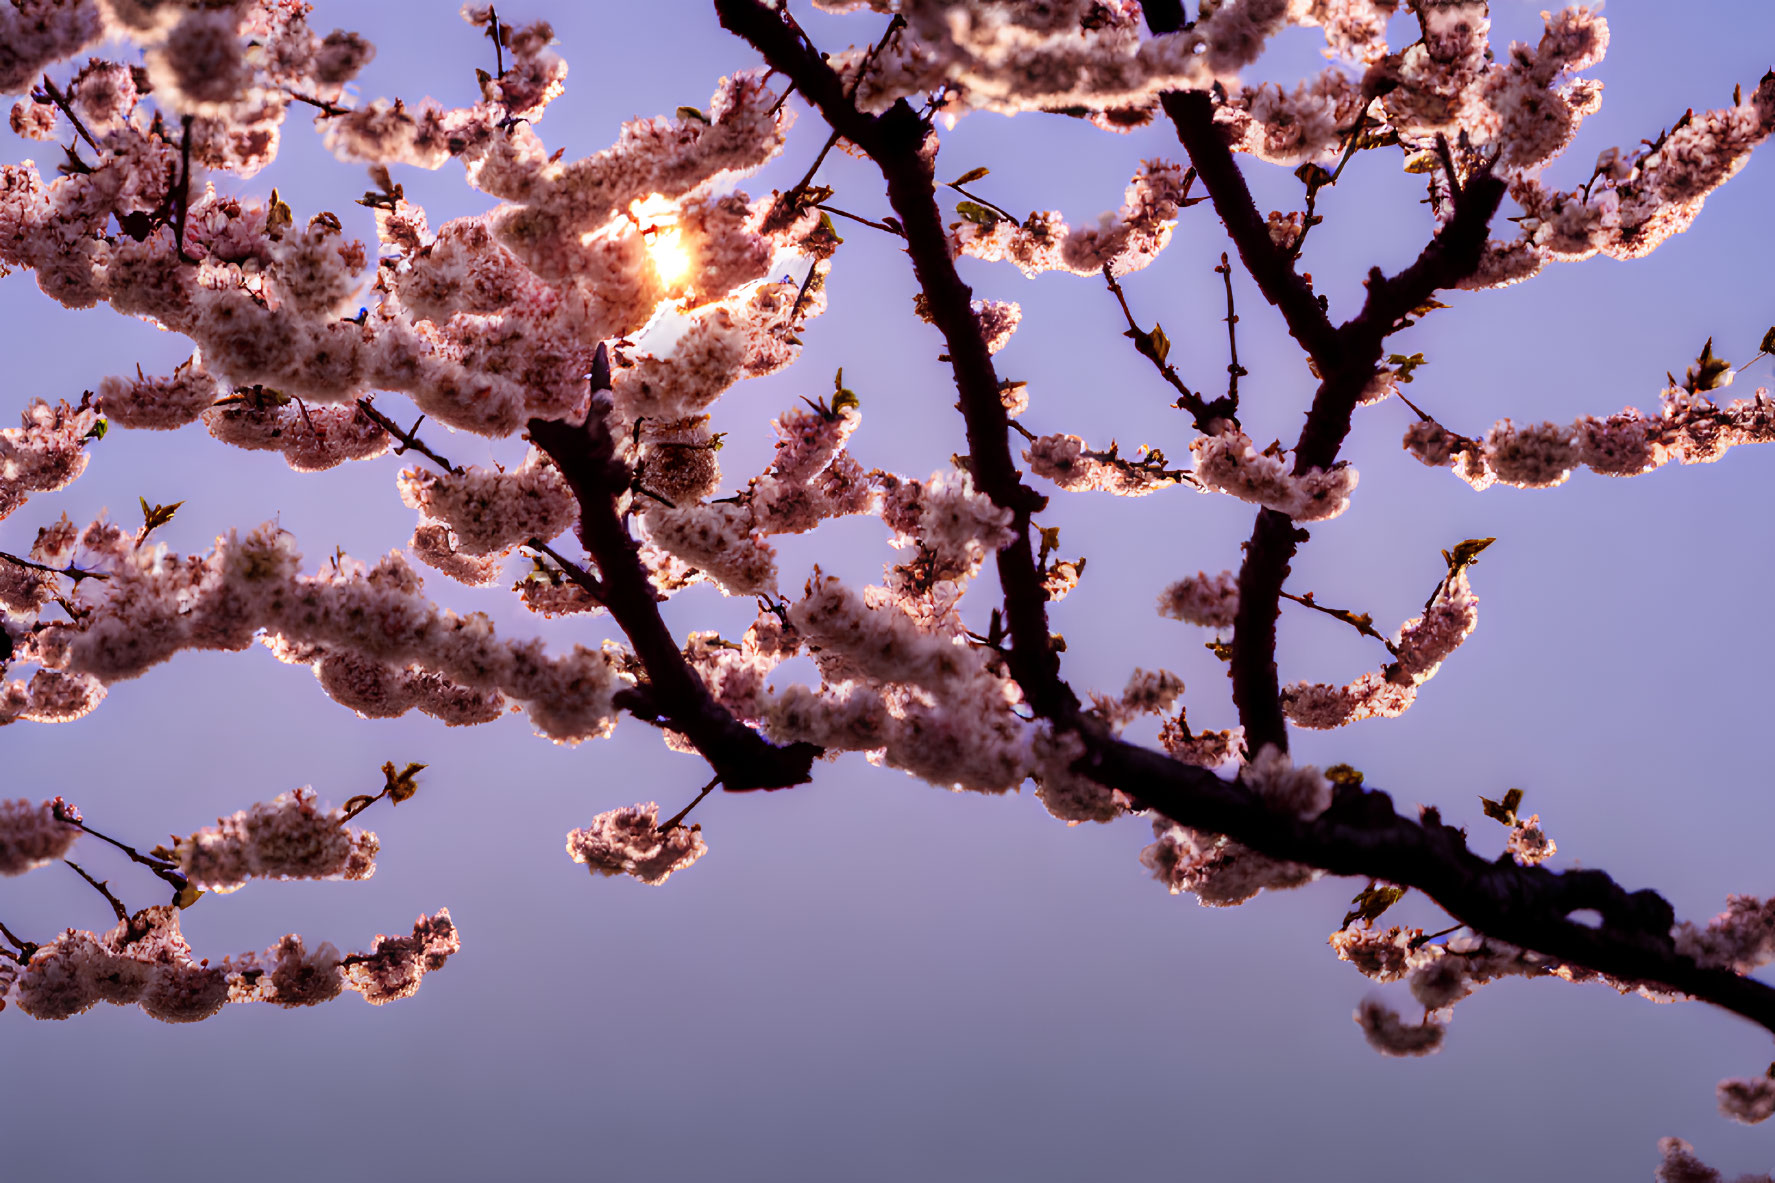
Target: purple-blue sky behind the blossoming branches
x=874 y=980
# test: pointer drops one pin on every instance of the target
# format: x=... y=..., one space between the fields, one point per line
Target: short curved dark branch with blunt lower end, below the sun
x=587 y=457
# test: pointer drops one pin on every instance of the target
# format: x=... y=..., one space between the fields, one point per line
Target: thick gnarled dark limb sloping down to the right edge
x=1364 y=836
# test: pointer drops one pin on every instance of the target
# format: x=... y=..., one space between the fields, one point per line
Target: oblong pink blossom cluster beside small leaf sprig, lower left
x=281 y=839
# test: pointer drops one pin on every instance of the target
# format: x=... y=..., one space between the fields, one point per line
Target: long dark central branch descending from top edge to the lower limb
x=899 y=147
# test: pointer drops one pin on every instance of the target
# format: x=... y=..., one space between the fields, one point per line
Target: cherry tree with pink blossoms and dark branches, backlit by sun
x=604 y=305
